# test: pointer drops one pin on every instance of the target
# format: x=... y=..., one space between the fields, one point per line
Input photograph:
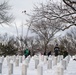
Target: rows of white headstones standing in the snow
x=60 y=63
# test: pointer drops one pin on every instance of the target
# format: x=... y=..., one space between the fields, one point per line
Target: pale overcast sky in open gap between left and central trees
x=17 y=7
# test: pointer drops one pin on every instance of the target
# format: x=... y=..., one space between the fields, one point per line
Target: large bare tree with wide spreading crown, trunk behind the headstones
x=47 y=19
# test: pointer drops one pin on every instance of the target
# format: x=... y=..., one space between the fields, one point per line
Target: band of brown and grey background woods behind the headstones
x=16 y=45
